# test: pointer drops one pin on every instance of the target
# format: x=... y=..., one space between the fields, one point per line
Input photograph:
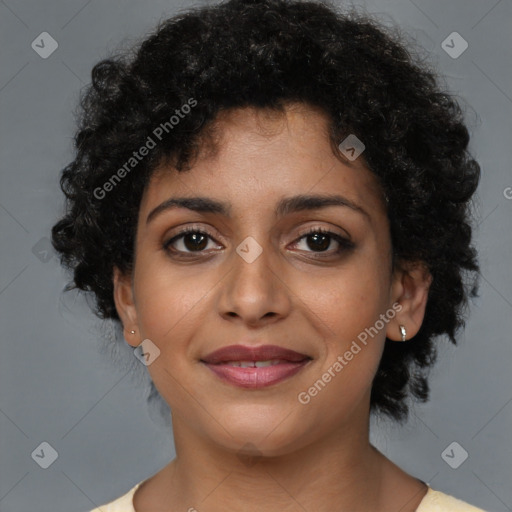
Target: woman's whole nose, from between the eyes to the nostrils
x=254 y=292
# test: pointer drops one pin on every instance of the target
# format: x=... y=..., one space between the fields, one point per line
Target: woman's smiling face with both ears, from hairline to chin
x=258 y=267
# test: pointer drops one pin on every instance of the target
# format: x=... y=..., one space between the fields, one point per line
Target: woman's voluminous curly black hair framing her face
x=266 y=54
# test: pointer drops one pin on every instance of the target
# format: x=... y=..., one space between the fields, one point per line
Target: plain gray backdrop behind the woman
x=57 y=385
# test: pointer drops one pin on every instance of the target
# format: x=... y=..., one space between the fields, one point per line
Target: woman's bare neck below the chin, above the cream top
x=340 y=472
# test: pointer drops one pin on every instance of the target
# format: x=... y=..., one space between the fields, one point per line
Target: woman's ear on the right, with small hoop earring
x=410 y=286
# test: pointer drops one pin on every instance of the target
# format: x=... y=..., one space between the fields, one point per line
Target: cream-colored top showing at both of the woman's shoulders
x=433 y=501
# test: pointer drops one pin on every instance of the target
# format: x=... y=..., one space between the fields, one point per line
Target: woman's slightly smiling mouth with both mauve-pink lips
x=255 y=367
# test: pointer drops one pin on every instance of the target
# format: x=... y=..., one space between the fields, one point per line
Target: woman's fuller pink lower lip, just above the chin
x=256 y=377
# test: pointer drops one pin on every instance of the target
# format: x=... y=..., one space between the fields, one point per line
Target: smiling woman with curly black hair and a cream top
x=272 y=199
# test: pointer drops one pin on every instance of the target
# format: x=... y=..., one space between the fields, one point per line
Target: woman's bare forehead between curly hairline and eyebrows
x=252 y=158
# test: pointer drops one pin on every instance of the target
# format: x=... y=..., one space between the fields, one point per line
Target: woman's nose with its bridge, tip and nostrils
x=253 y=289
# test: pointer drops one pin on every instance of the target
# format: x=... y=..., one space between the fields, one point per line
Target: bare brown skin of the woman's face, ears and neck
x=261 y=449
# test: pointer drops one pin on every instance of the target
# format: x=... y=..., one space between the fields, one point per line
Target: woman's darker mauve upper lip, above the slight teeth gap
x=251 y=353
